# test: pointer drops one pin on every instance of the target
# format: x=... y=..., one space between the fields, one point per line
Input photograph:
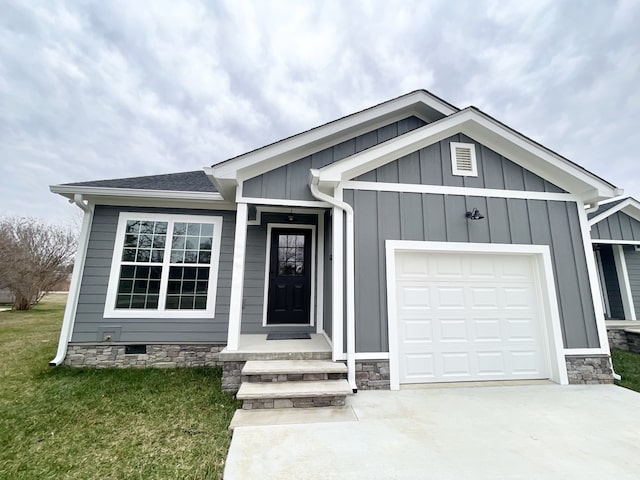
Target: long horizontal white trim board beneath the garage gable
x=465 y=191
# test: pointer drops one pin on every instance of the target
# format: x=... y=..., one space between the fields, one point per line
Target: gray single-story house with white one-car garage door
x=411 y=242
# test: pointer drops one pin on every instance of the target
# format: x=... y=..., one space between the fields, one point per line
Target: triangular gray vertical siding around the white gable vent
x=432 y=166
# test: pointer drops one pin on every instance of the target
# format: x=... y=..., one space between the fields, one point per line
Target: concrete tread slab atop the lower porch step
x=289 y=390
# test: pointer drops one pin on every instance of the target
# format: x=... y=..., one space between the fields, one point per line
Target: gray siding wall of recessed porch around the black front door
x=254 y=273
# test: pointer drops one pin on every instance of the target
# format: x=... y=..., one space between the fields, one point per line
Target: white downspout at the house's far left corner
x=74 y=288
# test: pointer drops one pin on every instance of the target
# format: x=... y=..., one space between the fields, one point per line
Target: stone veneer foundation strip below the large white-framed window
x=158 y=355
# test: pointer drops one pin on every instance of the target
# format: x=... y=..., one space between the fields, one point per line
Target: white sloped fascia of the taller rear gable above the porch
x=304 y=144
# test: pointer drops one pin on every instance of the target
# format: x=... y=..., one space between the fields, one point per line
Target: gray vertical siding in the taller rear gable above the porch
x=292 y=180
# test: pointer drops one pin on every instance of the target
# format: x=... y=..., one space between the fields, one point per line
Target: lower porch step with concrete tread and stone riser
x=325 y=393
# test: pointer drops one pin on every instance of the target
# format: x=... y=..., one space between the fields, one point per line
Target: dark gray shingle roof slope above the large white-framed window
x=195 y=181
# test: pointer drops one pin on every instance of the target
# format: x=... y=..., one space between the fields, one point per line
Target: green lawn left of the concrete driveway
x=80 y=423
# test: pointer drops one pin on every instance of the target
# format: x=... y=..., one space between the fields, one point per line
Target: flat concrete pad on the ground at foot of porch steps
x=291 y=416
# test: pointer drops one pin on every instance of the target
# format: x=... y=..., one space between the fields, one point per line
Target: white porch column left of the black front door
x=237 y=277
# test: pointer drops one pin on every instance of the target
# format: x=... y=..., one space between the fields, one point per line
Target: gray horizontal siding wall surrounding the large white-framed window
x=89 y=322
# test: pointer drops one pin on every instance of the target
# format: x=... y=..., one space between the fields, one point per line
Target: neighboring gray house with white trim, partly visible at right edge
x=615 y=234
